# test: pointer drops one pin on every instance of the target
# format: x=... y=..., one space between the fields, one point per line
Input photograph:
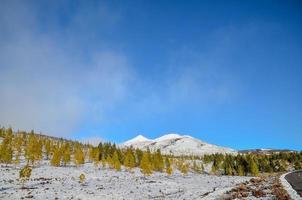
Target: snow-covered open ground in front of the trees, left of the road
x=49 y=182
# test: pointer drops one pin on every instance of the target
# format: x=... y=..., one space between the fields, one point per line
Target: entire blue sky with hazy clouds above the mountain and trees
x=226 y=72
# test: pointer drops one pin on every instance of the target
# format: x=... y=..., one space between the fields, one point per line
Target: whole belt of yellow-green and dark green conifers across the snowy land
x=34 y=148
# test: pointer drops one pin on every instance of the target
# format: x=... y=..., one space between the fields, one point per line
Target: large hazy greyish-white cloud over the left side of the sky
x=47 y=85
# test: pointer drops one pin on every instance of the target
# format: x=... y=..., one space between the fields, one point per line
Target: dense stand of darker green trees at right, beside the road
x=253 y=164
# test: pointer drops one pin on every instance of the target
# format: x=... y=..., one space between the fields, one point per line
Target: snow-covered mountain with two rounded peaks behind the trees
x=177 y=145
